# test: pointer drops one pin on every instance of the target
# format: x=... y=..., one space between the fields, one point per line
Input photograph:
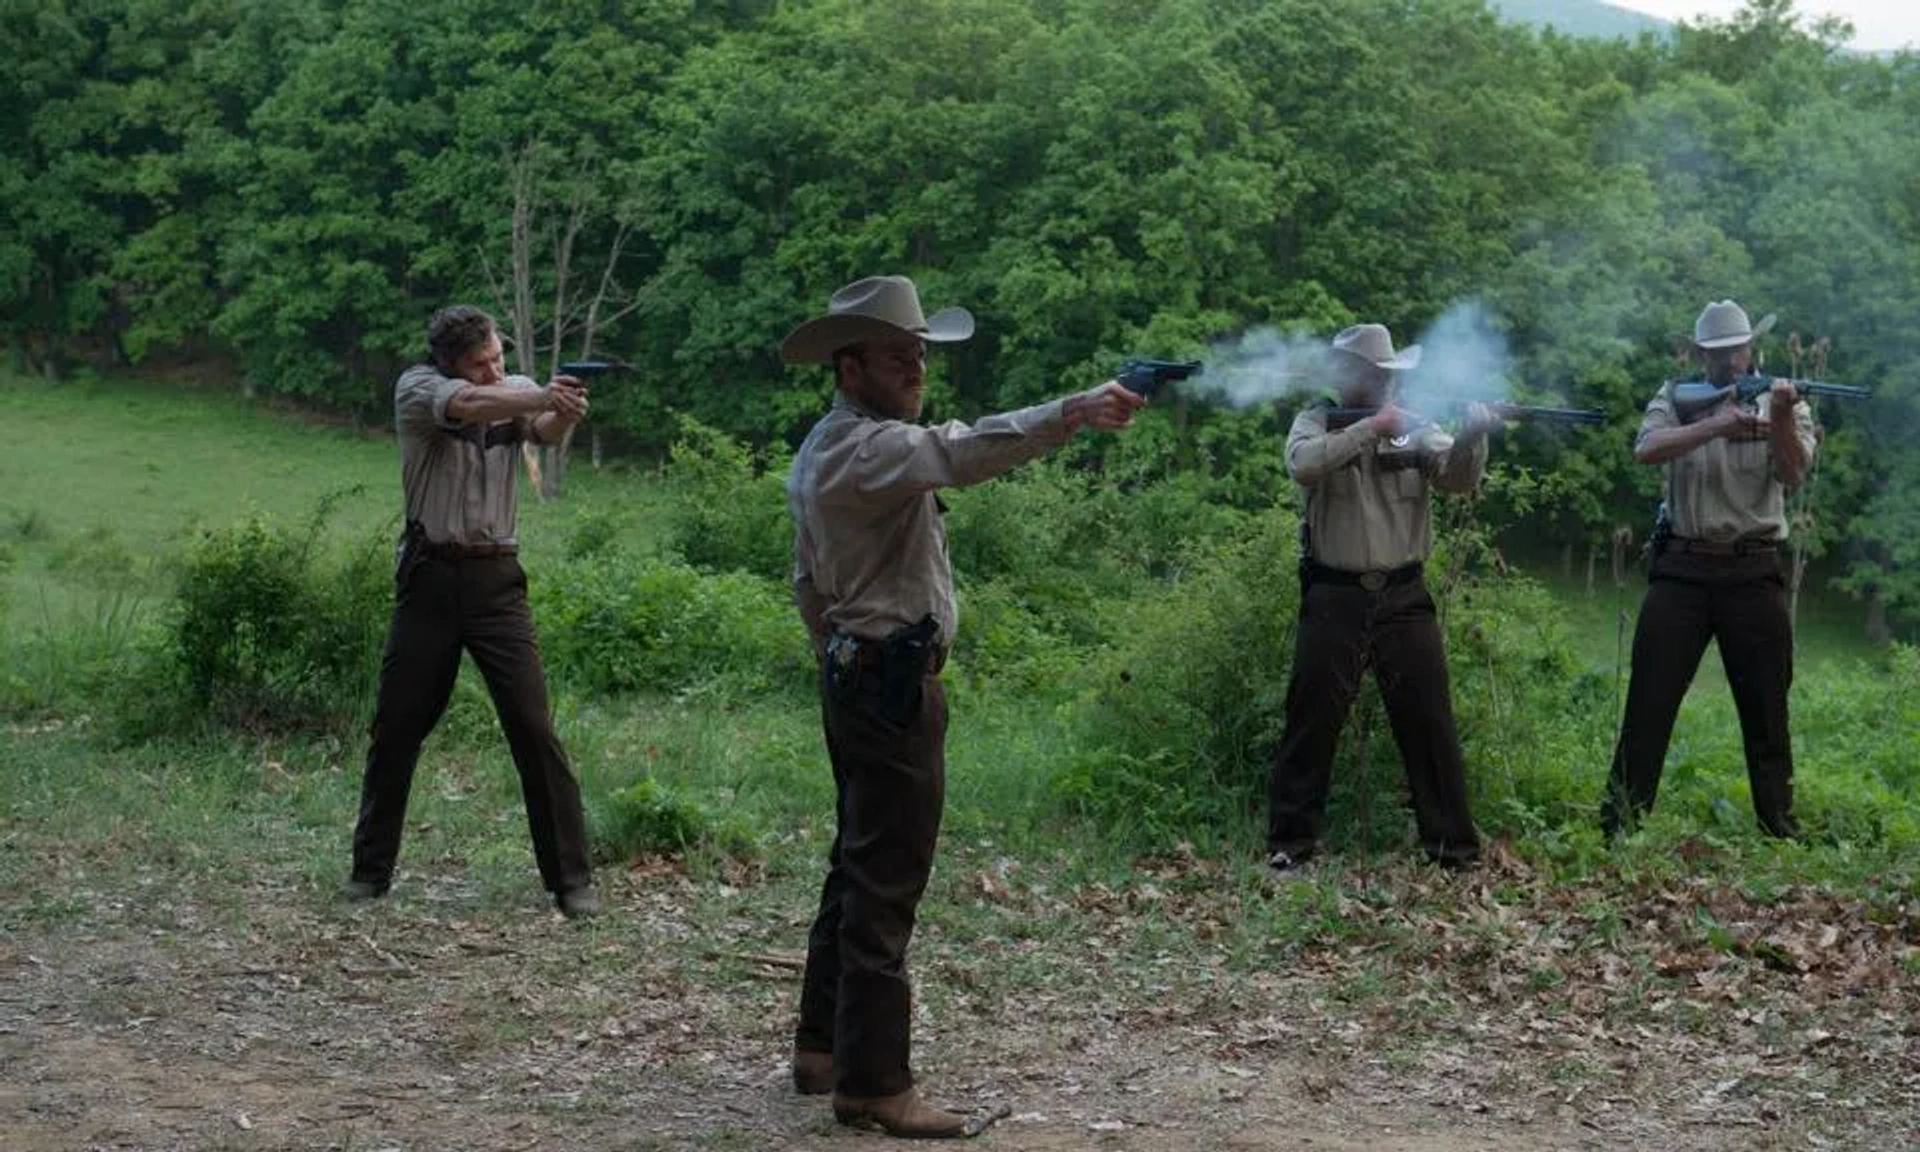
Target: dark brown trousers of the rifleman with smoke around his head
x=1343 y=631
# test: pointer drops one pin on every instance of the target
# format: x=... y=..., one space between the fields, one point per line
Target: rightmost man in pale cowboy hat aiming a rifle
x=1719 y=573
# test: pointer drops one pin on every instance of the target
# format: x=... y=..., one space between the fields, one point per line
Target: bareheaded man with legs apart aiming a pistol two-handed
x=460 y=587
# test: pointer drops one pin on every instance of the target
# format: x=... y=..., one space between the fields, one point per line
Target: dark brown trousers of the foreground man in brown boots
x=892 y=784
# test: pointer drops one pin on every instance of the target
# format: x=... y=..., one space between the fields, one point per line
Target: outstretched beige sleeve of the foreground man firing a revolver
x=900 y=458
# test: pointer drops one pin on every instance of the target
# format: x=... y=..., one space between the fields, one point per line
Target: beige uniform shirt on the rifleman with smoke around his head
x=1364 y=514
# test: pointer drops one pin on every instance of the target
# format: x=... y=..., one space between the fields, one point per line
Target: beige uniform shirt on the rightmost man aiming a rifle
x=1727 y=489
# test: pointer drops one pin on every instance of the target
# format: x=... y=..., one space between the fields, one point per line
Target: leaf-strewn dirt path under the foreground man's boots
x=158 y=1024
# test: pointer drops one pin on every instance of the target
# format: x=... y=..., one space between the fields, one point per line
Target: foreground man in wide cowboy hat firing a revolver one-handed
x=876 y=592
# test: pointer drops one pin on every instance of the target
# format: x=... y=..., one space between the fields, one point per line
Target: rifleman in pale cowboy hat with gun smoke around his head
x=1366 y=537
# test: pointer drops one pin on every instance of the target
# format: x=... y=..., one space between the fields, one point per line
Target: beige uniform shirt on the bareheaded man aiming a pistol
x=460 y=479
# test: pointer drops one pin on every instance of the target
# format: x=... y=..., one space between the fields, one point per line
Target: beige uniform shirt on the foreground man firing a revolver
x=869 y=542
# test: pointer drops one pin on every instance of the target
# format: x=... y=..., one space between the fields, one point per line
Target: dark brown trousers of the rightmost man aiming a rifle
x=1742 y=604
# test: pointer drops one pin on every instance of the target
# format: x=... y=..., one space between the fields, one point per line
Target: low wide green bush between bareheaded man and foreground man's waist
x=615 y=625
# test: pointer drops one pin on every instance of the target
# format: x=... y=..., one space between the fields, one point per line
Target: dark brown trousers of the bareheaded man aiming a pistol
x=479 y=606
